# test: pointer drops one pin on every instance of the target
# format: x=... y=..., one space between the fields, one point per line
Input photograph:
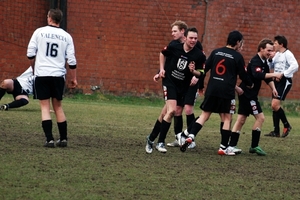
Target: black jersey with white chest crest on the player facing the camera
x=177 y=72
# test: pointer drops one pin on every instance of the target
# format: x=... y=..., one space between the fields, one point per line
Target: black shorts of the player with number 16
x=49 y=87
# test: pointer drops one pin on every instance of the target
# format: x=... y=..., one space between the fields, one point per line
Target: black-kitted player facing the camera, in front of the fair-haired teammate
x=177 y=75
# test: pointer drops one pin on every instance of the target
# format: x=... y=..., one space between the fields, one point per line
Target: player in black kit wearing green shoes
x=258 y=70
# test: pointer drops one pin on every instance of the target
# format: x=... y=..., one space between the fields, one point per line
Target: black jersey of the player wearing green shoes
x=256 y=69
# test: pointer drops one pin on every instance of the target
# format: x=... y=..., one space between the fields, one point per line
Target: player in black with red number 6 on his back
x=224 y=64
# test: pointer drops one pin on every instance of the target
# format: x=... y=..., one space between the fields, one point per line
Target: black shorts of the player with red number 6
x=218 y=105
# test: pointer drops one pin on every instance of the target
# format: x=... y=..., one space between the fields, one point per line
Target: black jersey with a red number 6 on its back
x=224 y=65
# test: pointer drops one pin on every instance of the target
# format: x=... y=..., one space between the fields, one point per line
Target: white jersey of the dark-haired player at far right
x=285 y=63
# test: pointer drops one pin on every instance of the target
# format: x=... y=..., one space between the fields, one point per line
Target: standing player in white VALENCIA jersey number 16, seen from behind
x=48 y=50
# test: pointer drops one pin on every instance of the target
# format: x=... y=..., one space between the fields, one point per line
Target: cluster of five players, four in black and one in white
x=183 y=66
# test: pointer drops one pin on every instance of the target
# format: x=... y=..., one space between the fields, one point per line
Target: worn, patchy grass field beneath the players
x=106 y=158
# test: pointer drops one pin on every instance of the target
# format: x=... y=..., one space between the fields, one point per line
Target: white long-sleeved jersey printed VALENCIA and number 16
x=51 y=46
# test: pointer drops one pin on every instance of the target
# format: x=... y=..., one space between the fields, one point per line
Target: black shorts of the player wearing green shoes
x=248 y=107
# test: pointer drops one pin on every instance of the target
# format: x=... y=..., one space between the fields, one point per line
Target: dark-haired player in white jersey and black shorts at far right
x=285 y=63
